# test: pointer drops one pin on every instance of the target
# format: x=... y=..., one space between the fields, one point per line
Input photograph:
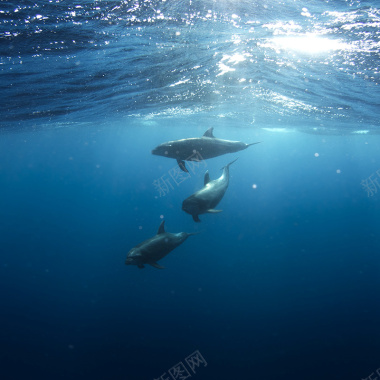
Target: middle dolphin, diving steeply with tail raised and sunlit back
x=209 y=196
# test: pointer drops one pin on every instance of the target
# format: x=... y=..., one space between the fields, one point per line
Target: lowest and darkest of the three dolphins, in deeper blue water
x=155 y=248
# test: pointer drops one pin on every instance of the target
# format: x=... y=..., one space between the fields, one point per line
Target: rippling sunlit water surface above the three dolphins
x=306 y=64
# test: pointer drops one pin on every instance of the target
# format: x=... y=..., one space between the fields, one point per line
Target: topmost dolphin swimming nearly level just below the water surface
x=198 y=148
